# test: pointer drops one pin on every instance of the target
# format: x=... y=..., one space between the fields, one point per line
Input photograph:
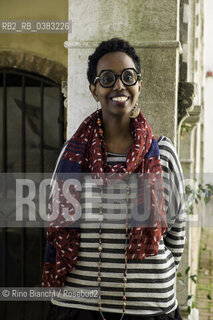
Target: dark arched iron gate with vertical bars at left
x=32 y=133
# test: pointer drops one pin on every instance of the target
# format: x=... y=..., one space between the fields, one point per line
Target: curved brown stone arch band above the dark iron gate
x=32 y=63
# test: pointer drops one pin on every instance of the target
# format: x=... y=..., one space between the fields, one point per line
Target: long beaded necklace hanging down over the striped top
x=100 y=248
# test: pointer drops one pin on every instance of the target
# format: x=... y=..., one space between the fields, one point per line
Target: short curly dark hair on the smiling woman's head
x=112 y=45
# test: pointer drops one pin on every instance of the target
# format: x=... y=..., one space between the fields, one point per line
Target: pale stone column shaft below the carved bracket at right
x=190 y=160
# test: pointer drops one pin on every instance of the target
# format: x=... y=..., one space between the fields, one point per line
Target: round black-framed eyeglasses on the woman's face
x=107 y=78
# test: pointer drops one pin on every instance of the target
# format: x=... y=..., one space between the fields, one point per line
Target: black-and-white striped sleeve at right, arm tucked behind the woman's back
x=174 y=191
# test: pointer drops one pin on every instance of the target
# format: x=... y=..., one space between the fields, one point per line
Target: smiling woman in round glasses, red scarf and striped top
x=130 y=250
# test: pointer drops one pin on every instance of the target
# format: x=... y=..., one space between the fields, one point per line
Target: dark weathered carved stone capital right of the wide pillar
x=186 y=92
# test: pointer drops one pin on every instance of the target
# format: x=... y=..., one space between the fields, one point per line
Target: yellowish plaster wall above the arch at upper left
x=49 y=45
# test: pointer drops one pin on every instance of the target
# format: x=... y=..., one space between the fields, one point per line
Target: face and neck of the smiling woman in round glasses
x=117 y=99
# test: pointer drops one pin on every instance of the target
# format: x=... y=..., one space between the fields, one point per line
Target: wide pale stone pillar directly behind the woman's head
x=152 y=27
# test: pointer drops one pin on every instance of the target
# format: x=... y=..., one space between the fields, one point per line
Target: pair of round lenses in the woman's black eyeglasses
x=108 y=78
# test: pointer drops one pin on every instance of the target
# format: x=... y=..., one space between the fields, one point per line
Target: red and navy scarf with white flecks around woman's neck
x=85 y=152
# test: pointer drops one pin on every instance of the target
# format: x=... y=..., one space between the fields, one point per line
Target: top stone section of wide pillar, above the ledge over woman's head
x=136 y=20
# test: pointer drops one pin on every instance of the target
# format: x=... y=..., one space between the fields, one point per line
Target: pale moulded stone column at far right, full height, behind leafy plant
x=190 y=121
